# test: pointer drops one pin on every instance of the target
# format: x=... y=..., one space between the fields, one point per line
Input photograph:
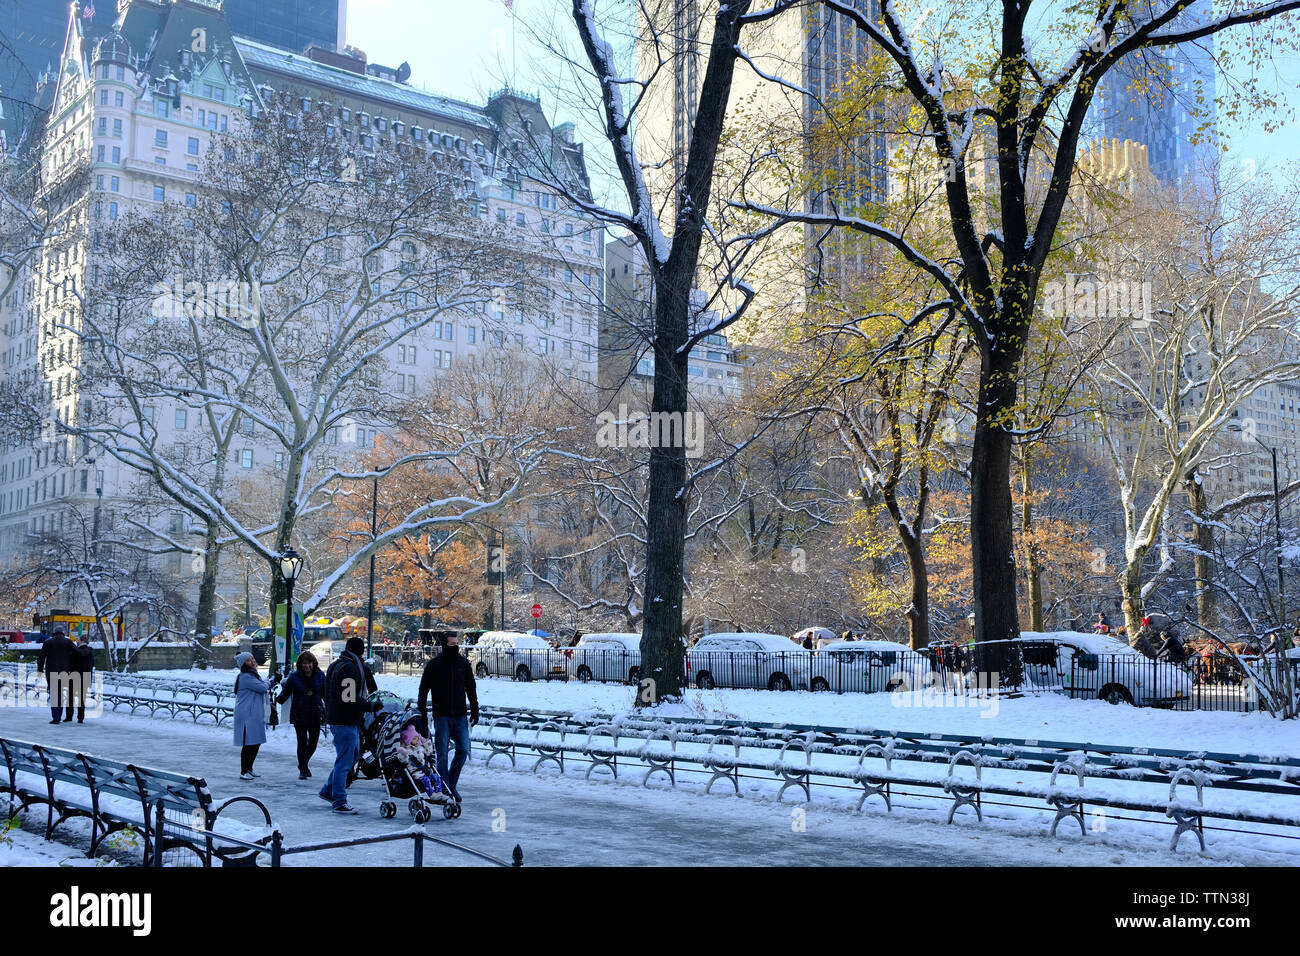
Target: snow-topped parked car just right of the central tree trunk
x=762 y=661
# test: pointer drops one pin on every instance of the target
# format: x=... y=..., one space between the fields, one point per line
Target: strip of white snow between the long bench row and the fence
x=1039 y=717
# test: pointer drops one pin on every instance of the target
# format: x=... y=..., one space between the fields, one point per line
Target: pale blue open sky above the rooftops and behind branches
x=467 y=49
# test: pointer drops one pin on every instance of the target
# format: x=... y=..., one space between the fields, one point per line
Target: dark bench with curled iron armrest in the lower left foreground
x=116 y=798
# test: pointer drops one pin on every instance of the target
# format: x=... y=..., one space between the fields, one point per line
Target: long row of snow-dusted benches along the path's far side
x=1085 y=782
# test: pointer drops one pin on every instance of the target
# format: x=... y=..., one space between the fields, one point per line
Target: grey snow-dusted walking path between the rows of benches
x=569 y=821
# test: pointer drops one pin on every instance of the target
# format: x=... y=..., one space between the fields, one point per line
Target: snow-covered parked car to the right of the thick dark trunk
x=1095 y=665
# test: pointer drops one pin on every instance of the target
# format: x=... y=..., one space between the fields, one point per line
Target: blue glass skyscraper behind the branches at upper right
x=1165 y=101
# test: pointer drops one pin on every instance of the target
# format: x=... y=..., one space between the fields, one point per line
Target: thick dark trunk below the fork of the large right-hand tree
x=993 y=539
